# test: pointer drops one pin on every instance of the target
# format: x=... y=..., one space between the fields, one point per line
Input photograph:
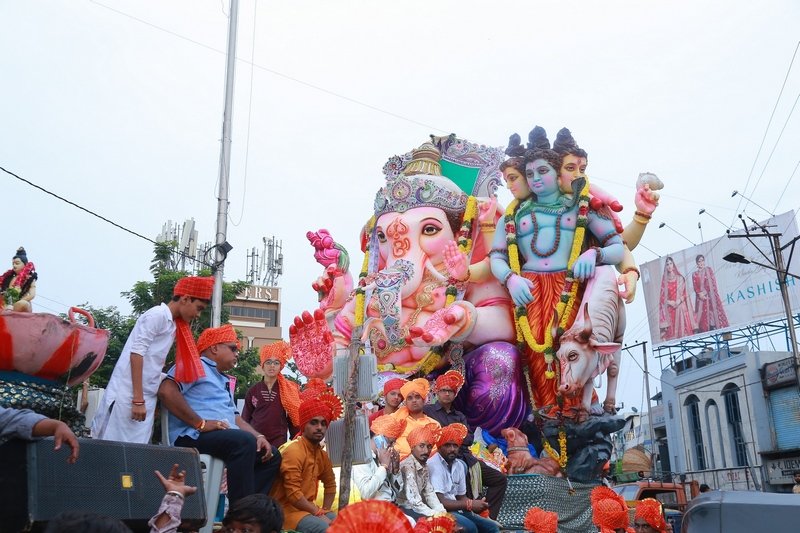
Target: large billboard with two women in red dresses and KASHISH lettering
x=693 y=292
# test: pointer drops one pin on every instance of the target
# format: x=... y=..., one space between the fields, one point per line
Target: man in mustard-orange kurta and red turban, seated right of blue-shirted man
x=304 y=465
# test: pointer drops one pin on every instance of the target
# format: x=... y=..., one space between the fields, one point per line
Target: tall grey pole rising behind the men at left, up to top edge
x=221 y=245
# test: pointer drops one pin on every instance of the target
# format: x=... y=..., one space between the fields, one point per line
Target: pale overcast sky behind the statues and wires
x=116 y=105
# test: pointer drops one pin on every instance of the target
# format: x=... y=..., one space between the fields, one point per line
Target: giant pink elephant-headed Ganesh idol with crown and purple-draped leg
x=426 y=298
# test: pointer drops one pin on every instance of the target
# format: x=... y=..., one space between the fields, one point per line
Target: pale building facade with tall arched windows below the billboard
x=726 y=425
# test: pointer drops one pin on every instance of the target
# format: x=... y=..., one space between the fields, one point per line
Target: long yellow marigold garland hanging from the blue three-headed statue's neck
x=568 y=295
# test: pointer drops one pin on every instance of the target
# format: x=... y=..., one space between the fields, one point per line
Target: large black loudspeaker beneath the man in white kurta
x=110 y=478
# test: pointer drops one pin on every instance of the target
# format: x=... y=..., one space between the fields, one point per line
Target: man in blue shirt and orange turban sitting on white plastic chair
x=203 y=415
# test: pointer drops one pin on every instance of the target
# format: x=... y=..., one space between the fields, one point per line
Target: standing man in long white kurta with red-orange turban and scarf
x=128 y=406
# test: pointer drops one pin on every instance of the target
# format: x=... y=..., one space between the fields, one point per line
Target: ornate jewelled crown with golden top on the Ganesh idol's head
x=420 y=184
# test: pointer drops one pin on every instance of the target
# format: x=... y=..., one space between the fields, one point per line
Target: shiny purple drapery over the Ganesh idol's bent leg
x=493 y=396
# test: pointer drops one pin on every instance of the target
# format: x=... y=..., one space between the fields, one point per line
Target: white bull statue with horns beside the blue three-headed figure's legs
x=593 y=345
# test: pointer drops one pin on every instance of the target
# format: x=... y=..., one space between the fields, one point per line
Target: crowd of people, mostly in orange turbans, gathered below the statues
x=422 y=465
